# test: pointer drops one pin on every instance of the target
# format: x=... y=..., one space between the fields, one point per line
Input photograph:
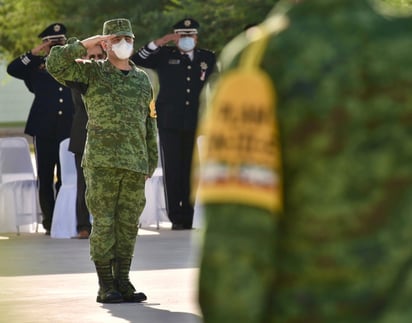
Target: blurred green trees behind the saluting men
x=22 y=20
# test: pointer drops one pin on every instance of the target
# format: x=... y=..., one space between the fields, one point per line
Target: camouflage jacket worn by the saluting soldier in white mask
x=121 y=133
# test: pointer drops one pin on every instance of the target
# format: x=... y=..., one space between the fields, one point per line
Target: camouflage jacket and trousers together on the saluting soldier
x=120 y=148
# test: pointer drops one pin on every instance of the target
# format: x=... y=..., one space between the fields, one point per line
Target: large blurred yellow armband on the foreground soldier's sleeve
x=241 y=161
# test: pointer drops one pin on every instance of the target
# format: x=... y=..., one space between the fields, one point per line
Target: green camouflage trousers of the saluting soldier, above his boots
x=115 y=198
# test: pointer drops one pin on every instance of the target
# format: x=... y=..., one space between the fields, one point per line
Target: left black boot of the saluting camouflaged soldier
x=107 y=292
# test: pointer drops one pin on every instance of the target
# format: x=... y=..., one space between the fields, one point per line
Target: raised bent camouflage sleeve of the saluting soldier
x=61 y=62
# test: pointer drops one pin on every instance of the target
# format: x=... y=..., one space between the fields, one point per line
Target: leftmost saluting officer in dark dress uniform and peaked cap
x=50 y=115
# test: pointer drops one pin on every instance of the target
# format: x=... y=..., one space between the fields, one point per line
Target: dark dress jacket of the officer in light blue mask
x=181 y=80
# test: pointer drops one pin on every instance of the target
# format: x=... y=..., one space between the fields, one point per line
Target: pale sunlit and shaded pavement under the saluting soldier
x=53 y=280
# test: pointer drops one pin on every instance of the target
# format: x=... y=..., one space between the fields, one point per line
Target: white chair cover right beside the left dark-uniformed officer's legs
x=64 y=215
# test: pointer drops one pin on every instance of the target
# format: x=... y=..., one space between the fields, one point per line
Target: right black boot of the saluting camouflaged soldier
x=121 y=269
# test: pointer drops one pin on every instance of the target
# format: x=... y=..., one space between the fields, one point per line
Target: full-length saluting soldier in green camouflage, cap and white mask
x=120 y=150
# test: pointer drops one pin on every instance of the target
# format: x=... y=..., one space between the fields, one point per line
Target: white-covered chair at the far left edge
x=18 y=187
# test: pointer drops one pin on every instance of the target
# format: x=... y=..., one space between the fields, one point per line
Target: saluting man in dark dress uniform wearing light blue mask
x=182 y=71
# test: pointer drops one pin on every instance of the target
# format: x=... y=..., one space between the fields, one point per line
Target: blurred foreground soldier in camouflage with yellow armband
x=332 y=243
